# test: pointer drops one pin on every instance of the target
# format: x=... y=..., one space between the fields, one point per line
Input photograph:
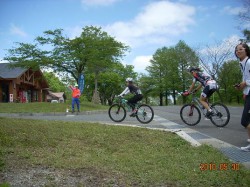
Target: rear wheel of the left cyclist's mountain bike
x=145 y=114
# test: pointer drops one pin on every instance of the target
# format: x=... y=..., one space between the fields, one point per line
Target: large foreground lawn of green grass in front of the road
x=125 y=155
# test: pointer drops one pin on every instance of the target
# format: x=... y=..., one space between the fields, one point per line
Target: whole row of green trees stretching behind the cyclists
x=98 y=56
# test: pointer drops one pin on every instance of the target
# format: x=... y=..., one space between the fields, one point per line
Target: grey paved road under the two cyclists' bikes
x=233 y=133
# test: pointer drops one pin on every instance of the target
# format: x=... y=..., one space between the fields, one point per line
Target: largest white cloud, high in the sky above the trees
x=155 y=24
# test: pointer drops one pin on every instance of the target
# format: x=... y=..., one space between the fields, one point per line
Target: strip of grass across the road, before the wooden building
x=38 y=107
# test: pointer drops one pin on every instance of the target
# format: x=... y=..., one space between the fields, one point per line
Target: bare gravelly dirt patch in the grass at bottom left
x=40 y=176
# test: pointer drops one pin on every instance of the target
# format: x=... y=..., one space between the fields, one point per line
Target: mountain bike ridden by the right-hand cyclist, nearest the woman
x=191 y=113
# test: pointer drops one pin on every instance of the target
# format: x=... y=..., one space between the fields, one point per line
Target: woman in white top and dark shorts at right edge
x=242 y=52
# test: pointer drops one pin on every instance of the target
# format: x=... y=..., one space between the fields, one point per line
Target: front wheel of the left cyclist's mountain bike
x=117 y=113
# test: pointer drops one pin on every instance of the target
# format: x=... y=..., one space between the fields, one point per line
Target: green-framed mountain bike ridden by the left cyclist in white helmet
x=118 y=111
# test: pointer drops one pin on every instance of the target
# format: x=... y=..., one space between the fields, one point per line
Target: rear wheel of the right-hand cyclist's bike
x=221 y=115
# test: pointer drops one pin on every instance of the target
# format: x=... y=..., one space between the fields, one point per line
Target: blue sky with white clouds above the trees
x=144 y=25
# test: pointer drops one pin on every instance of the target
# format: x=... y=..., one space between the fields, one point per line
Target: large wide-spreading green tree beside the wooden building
x=94 y=50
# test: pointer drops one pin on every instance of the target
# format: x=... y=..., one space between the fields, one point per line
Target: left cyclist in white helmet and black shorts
x=131 y=88
